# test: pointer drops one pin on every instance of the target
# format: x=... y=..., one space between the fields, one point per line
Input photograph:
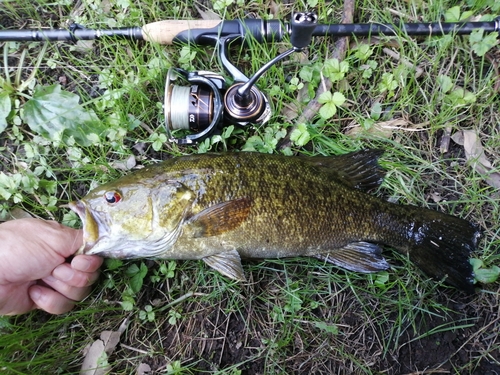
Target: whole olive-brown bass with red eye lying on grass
x=225 y=207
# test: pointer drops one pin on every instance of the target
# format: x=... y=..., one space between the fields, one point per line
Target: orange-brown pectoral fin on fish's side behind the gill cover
x=219 y=218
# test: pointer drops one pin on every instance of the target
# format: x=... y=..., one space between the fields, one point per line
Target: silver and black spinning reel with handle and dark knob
x=208 y=104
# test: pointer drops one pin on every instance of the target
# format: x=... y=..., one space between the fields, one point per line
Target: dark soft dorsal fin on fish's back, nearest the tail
x=358 y=169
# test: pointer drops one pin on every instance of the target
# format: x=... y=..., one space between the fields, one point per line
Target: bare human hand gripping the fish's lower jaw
x=34 y=273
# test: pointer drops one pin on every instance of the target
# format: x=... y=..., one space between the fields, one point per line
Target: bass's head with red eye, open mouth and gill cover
x=132 y=219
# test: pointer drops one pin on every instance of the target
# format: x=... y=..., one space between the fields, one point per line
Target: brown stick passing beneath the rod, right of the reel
x=338 y=52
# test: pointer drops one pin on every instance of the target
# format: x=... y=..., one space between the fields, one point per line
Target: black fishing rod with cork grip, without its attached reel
x=201 y=32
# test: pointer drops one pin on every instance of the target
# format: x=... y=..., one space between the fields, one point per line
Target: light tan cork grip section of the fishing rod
x=164 y=32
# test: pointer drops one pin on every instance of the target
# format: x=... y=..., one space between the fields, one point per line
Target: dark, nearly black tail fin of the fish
x=441 y=246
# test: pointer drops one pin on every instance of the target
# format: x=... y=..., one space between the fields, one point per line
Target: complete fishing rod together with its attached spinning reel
x=209 y=101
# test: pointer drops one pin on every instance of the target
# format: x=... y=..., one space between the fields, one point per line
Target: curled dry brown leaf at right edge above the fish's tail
x=474 y=153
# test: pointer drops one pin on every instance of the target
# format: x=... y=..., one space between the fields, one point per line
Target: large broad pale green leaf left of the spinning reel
x=55 y=114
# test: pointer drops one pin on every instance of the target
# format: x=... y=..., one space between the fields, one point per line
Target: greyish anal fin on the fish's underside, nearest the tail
x=358 y=257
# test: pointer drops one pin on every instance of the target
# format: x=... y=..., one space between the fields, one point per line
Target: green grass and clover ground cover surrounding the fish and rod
x=296 y=315
